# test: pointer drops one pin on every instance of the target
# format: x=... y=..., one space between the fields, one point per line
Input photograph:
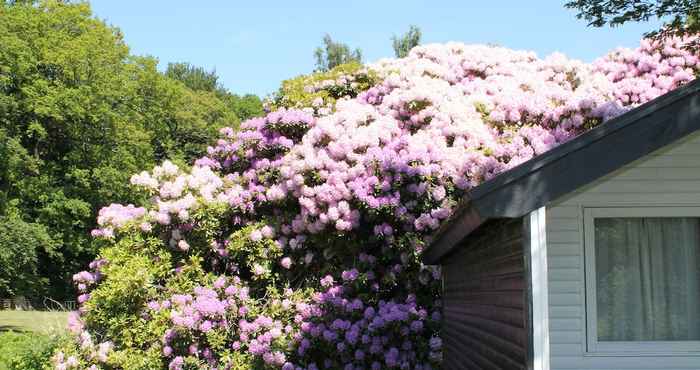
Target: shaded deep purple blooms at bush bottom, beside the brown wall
x=347 y=334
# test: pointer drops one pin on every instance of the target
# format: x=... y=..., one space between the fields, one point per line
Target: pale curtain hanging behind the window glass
x=647 y=279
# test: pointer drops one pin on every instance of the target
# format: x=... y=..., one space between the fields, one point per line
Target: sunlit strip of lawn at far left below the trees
x=34 y=321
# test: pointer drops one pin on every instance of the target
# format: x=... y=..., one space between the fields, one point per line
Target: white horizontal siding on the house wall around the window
x=668 y=176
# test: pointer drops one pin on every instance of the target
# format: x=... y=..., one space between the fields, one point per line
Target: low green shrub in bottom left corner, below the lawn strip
x=26 y=351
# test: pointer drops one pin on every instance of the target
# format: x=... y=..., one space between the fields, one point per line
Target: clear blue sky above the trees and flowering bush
x=253 y=45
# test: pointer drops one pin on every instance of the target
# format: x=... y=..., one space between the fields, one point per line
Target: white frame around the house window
x=626 y=348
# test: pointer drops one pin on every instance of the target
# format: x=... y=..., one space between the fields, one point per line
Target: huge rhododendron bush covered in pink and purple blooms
x=295 y=242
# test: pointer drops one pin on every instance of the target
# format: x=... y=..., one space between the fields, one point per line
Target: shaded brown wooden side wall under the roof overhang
x=483 y=297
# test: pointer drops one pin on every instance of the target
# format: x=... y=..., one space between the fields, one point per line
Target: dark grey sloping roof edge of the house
x=569 y=166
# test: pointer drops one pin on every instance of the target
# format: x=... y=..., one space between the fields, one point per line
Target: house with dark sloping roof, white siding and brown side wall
x=585 y=257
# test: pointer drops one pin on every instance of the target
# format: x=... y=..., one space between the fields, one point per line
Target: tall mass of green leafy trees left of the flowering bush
x=78 y=114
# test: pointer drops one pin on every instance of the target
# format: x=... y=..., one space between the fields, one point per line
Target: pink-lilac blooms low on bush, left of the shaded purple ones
x=222 y=308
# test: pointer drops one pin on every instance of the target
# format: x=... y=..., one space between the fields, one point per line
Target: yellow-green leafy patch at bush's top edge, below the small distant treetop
x=320 y=90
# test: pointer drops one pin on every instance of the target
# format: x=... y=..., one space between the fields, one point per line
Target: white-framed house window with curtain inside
x=643 y=279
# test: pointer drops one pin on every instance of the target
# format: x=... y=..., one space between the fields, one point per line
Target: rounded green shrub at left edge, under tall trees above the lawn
x=20 y=243
